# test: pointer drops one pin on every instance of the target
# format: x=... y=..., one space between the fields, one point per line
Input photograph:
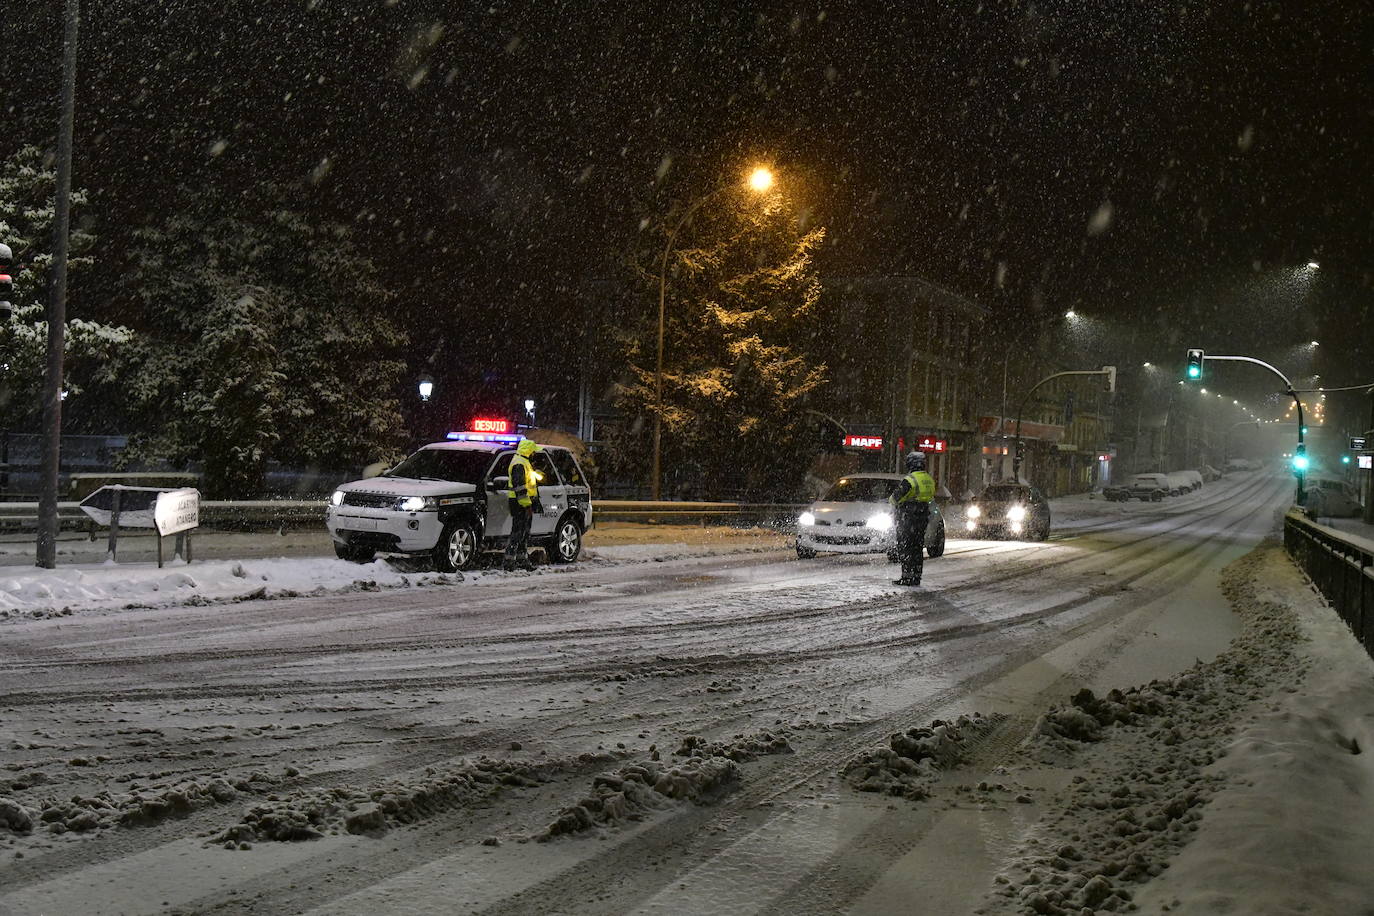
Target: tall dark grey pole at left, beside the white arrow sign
x=47 y=545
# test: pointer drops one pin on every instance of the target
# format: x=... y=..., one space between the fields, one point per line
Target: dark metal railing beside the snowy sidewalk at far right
x=1343 y=572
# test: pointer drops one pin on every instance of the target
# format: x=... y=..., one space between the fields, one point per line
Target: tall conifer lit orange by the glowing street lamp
x=743 y=306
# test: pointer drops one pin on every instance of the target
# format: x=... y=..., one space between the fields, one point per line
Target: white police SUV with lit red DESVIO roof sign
x=447 y=502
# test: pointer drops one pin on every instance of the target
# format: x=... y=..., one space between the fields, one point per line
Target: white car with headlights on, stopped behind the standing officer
x=854 y=517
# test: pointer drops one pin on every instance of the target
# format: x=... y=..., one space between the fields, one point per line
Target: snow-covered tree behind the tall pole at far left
x=28 y=186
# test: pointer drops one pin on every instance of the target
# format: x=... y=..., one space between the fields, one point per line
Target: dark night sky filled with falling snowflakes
x=1160 y=168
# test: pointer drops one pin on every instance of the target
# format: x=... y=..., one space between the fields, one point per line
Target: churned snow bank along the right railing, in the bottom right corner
x=1241 y=777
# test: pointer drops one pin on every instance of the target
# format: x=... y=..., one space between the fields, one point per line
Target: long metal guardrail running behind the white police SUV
x=270 y=514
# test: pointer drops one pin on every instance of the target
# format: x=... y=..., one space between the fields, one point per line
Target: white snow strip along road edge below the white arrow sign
x=60 y=593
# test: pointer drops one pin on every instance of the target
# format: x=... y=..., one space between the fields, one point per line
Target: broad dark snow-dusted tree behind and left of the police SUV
x=260 y=337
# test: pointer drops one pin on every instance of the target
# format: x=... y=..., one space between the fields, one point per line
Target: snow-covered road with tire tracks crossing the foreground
x=431 y=749
